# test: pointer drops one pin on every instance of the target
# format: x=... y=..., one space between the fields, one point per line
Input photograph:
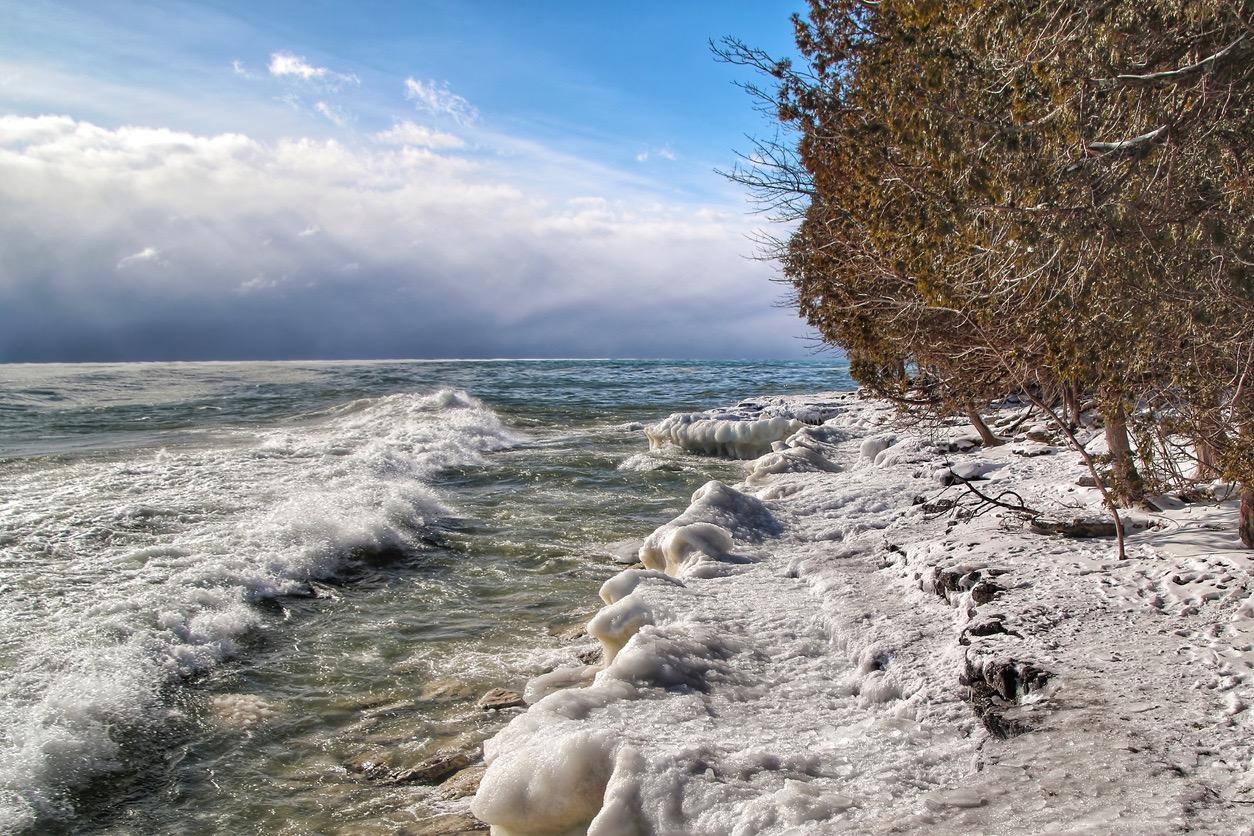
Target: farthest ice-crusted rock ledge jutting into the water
x=744 y=432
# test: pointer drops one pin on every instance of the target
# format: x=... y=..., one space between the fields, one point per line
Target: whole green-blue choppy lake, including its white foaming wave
x=228 y=588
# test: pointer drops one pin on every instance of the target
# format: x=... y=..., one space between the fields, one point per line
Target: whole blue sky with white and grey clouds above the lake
x=475 y=179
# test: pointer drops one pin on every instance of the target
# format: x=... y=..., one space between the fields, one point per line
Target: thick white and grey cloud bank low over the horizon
x=150 y=244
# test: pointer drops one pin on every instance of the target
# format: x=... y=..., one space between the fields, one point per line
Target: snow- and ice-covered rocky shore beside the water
x=837 y=645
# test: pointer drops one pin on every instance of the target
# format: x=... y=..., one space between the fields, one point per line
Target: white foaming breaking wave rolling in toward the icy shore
x=126 y=576
